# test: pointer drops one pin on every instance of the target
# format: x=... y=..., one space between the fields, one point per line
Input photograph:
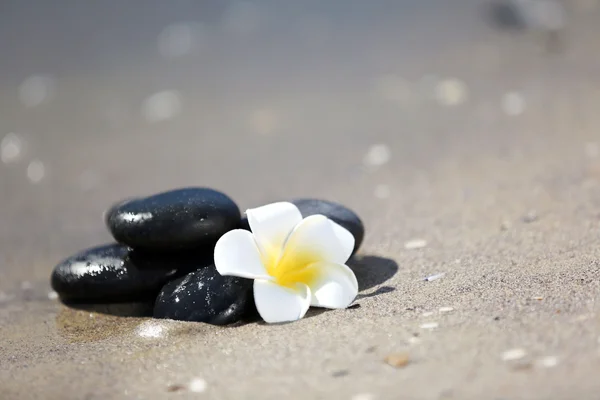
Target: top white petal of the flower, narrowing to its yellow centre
x=271 y=225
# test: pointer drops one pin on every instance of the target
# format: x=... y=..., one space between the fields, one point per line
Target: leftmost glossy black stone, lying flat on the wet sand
x=109 y=274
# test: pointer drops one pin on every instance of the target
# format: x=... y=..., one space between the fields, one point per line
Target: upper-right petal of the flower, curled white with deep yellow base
x=313 y=240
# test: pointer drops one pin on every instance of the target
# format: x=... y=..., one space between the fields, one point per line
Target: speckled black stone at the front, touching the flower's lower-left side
x=205 y=296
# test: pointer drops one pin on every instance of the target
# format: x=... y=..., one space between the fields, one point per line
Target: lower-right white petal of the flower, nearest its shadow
x=334 y=285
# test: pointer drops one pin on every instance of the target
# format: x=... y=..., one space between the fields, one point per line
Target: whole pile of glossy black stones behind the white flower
x=163 y=257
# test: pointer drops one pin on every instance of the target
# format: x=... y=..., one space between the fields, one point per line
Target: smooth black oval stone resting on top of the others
x=182 y=219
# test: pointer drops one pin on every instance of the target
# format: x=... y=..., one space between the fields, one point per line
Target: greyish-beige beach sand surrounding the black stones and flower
x=487 y=156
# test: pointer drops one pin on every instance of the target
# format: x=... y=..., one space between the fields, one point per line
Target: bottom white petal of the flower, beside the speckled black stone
x=277 y=303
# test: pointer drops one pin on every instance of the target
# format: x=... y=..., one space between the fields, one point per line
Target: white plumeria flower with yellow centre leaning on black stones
x=295 y=263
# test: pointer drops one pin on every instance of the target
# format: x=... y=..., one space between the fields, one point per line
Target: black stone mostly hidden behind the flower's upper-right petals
x=335 y=212
